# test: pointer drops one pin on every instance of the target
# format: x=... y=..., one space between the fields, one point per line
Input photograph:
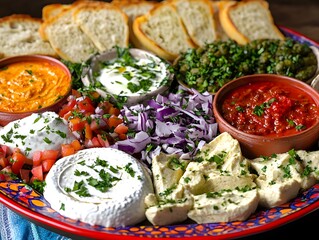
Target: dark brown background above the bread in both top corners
x=299 y=15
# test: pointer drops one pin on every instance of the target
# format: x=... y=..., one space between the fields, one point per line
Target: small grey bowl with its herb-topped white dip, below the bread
x=131 y=74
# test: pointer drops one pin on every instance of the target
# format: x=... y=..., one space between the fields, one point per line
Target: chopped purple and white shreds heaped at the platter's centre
x=174 y=124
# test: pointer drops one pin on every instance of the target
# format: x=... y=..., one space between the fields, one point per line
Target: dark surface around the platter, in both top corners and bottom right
x=301 y=16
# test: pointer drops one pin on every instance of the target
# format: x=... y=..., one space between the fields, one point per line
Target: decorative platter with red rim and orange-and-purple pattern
x=31 y=205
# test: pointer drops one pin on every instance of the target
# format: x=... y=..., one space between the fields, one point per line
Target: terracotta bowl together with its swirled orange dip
x=32 y=84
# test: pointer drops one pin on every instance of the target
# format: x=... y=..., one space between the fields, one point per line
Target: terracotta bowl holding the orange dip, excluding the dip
x=6 y=117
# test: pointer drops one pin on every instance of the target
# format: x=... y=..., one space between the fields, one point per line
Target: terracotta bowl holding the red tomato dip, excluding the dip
x=257 y=145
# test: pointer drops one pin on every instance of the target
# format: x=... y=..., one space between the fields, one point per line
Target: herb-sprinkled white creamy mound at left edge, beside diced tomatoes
x=39 y=131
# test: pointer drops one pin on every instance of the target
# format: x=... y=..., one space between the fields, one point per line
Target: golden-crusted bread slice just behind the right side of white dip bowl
x=161 y=31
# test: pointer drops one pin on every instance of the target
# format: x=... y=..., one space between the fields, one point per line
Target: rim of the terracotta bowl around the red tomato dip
x=310 y=91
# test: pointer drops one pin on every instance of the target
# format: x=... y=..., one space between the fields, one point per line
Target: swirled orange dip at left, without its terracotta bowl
x=31 y=85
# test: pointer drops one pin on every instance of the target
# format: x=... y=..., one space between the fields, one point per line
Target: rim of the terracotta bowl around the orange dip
x=36 y=57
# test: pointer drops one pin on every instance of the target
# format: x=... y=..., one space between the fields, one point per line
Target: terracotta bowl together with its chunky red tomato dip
x=249 y=119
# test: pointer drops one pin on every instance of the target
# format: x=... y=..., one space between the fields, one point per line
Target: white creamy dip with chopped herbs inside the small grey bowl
x=130 y=76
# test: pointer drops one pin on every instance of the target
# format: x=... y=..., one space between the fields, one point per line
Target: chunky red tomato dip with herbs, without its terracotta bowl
x=268 y=108
